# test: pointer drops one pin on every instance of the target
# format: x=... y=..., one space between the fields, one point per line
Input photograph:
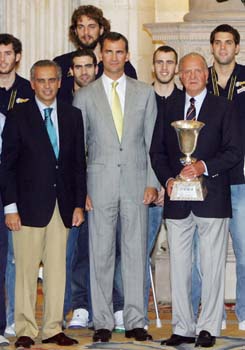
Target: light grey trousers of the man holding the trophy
x=213 y=235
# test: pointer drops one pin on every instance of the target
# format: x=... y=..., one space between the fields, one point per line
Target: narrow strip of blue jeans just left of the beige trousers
x=10 y=280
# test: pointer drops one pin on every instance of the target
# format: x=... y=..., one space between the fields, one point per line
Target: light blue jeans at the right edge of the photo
x=237 y=231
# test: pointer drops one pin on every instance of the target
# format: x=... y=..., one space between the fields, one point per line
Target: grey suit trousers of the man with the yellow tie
x=102 y=244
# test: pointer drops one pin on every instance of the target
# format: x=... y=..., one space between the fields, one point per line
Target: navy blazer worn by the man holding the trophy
x=218 y=146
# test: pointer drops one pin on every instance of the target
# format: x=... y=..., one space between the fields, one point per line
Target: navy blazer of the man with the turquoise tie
x=31 y=176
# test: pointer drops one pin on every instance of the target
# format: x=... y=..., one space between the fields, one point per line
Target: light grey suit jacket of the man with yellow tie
x=113 y=165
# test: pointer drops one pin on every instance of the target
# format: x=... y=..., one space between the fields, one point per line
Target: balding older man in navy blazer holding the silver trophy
x=217 y=151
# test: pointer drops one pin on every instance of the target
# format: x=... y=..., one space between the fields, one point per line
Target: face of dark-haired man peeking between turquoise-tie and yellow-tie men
x=83 y=70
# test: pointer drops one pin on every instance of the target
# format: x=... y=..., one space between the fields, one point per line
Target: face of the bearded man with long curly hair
x=88 y=32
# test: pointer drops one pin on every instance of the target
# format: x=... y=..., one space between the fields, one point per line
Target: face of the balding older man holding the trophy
x=193 y=75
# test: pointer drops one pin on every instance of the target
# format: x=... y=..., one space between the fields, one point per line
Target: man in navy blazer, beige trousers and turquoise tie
x=44 y=188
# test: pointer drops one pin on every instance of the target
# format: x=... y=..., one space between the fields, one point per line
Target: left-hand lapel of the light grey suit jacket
x=102 y=103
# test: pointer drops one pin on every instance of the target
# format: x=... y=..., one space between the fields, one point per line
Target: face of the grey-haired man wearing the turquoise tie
x=46 y=84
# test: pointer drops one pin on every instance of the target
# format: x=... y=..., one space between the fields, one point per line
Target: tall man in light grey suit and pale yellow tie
x=119 y=115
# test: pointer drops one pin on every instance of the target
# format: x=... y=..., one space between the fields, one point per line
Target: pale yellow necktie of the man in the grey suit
x=116 y=110
